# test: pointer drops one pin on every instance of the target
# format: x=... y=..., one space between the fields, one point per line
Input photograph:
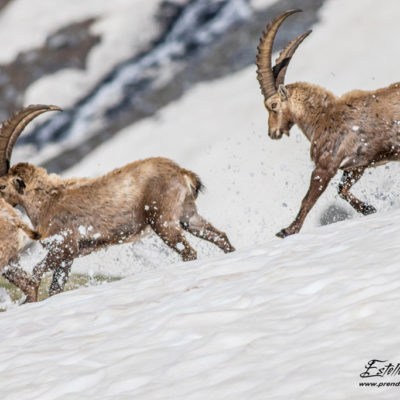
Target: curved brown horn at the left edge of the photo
x=12 y=128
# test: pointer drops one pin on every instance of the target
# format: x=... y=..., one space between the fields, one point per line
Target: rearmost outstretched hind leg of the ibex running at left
x=201 y=228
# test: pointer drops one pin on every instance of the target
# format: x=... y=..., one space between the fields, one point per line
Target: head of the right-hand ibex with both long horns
x=271 y=79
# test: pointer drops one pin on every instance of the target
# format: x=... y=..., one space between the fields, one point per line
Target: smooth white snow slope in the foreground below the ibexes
x=292 y=319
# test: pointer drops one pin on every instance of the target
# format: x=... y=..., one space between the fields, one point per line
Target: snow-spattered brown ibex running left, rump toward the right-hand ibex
x=78 y=216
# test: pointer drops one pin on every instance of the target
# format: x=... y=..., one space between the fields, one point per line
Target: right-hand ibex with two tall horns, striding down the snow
x=356 y=131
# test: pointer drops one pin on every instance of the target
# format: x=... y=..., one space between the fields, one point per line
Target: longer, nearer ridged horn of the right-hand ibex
x=264 y=69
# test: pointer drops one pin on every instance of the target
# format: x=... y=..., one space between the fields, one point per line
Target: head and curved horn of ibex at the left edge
x=12 y=185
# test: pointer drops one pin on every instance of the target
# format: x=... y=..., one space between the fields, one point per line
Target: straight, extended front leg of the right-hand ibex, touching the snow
x=319 y=181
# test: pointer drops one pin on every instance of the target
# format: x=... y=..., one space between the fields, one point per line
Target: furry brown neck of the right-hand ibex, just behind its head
x=308 y=104
